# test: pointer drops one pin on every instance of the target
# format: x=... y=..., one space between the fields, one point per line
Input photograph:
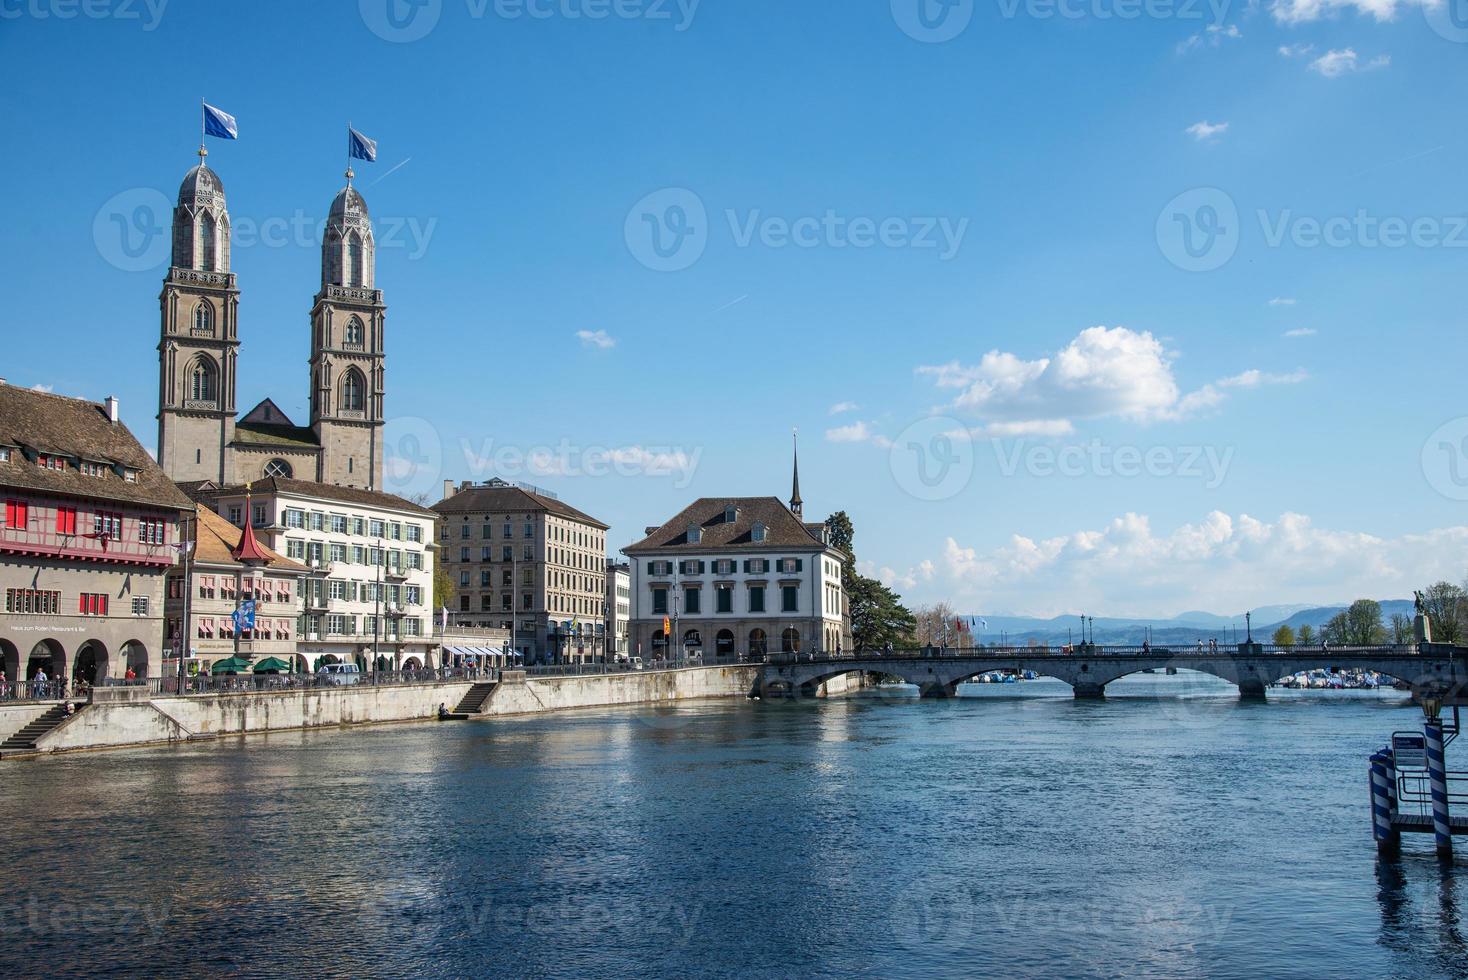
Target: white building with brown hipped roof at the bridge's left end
x=738 y=577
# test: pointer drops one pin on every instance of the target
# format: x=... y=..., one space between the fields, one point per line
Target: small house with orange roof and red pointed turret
x=219 y=576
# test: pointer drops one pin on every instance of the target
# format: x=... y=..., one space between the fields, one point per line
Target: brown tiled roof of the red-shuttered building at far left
x=80 y=431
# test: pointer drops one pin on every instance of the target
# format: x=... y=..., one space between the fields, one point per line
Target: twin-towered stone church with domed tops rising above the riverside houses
x=199 y=356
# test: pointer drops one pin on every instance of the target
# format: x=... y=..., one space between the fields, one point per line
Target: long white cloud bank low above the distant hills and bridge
x=1222 y=563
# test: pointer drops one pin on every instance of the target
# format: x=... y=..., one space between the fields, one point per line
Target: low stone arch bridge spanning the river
x=1434 y=670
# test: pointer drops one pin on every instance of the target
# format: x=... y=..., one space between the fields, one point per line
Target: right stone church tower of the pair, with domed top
x=347 y=348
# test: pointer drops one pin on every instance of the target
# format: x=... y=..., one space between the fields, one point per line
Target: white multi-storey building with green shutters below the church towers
x=369 y=567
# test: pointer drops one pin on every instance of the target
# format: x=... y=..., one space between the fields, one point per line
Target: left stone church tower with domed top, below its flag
x=199 y=350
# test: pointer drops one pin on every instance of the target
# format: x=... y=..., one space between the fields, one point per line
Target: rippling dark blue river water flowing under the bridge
x=1168 y=831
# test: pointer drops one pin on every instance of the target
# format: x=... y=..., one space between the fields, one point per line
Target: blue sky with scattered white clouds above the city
x=1190 y=400
